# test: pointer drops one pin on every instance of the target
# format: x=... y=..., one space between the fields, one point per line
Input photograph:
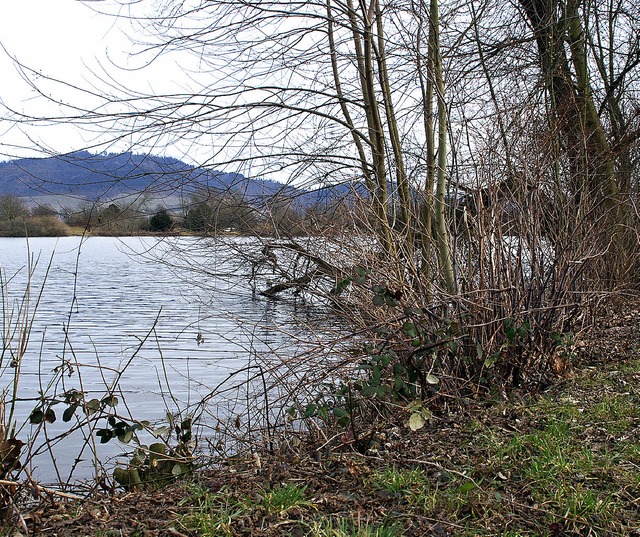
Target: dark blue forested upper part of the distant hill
x=90 y=176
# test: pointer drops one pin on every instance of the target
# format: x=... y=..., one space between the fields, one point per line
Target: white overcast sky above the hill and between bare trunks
x=250 y=99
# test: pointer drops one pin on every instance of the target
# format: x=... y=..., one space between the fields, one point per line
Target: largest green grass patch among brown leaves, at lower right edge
x=567 y=461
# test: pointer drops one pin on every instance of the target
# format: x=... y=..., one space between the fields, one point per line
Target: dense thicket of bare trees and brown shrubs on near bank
x=479 y=244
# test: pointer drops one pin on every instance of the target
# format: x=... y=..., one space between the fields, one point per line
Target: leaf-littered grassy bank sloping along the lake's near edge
x=563 y=461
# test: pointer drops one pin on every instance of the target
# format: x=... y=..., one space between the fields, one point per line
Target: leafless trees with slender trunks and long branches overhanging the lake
x=493 y=146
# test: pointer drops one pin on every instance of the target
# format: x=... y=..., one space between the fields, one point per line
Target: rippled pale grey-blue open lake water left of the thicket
x=102 y=298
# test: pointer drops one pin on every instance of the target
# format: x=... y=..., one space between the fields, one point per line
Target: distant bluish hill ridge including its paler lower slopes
x=75 y=178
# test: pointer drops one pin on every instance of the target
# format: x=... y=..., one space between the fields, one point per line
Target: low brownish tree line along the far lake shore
x=205 y=213
